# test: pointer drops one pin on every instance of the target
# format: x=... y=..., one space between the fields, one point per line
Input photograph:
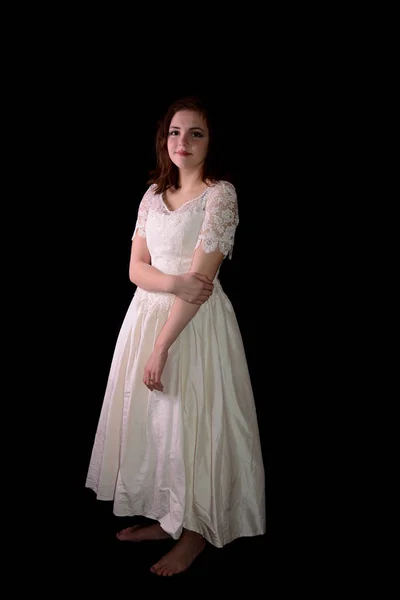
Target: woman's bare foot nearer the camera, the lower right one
x=179 y=559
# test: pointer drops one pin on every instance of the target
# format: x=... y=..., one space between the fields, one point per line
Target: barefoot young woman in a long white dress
x=178 y=439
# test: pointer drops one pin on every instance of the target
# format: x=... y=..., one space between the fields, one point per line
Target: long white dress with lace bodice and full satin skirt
x=189 y=456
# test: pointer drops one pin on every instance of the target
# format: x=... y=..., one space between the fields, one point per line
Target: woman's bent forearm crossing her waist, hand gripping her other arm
x=191 y=287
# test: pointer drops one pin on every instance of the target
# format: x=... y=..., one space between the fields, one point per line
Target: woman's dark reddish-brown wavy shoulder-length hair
x=166 y=174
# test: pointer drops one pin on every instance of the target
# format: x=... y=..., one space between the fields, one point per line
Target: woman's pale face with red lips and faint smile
x=188 y=139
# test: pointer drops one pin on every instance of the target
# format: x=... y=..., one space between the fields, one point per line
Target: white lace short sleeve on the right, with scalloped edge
x=220 y=221
